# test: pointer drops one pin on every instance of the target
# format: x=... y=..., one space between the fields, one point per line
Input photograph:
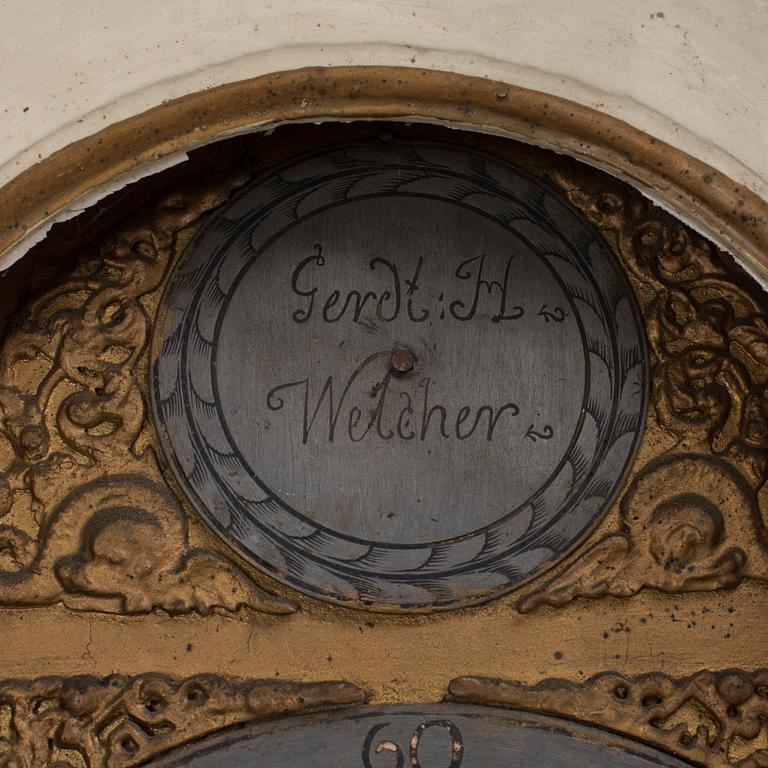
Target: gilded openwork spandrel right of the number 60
x=715 y=719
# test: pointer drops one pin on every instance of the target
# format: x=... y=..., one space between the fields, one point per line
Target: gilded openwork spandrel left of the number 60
x=117 y=722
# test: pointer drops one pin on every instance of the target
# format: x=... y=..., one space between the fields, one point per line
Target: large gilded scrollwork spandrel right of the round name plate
x=691 y=518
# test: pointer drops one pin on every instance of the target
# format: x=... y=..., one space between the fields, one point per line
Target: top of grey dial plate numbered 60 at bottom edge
x=437 y=736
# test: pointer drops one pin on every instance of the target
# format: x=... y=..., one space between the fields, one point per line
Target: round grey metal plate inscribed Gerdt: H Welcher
x=399 y=376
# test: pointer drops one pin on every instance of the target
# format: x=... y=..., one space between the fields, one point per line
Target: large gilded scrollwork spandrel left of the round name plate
x=89 y=519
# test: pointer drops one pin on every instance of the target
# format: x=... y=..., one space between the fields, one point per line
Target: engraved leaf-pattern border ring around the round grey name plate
x=469 y=569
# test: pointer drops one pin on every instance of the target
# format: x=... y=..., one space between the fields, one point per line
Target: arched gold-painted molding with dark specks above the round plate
x=726 y=210
